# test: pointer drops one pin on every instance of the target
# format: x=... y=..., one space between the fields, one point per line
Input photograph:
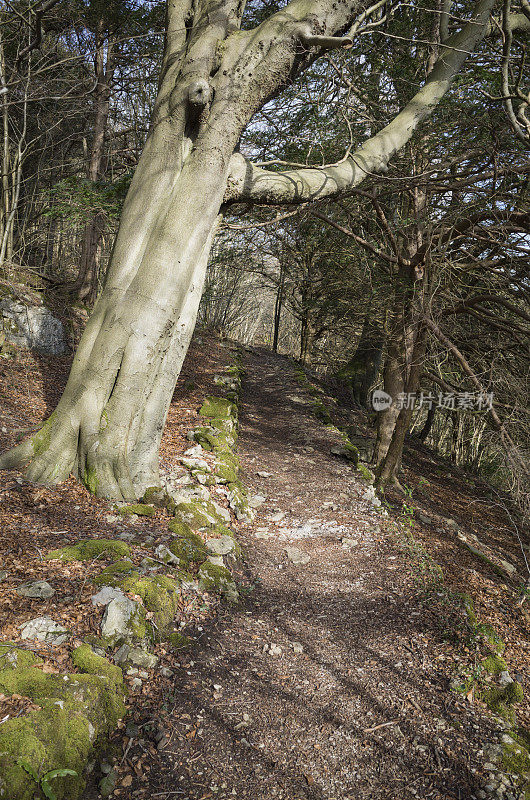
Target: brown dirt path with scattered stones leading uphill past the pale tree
x=329 y=681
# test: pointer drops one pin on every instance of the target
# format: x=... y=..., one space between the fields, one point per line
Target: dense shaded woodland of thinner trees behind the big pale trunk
x=417 y=283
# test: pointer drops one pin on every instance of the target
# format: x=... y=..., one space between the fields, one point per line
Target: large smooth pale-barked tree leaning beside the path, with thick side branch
x=215 y=77
